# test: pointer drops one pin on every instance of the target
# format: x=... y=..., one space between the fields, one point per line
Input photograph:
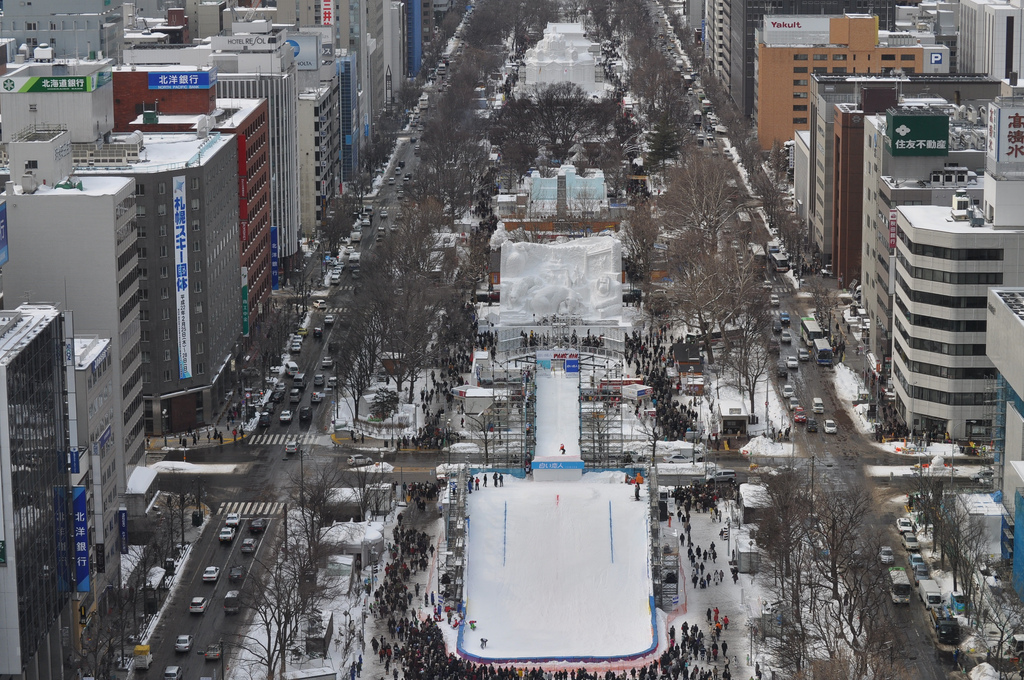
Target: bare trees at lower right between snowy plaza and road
x=831 y=611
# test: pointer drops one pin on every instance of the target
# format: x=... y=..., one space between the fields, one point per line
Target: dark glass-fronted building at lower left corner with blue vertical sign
x=40 y=571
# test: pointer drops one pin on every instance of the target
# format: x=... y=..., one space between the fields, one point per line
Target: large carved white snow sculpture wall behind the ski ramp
x=579 y=279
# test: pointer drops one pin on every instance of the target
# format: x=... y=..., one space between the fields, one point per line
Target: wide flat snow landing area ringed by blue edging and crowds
x=550 y=564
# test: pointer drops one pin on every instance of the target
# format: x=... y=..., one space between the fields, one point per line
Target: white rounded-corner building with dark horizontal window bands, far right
x=947 y=261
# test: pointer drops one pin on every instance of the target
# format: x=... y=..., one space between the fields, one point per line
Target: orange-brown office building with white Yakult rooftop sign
x=793 y=49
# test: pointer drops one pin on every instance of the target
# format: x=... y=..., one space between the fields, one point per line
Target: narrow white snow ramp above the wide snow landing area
x=558 y=414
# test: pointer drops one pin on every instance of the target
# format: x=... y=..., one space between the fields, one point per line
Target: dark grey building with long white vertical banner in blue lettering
x=187 y=192
